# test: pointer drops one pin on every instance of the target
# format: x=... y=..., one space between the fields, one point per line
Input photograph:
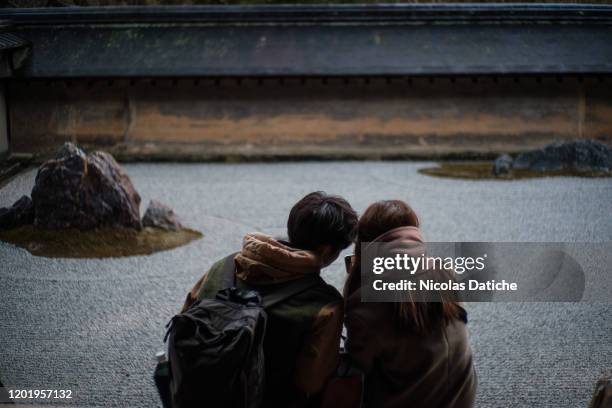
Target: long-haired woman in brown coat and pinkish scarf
x=414 y=354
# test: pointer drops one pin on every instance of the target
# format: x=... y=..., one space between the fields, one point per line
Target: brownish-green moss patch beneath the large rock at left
x=97 y=243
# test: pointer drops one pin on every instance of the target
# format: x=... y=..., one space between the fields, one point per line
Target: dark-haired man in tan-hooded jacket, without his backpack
x=303 y=332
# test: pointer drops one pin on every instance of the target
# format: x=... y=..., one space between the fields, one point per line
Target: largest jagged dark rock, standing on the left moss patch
x=76 y=190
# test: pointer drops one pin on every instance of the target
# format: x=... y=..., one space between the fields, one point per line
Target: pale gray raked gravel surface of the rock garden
x=93 y=326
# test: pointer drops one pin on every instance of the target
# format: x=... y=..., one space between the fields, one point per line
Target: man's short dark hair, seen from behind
x=322 y=219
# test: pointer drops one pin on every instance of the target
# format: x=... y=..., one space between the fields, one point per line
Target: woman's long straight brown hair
x=380 y=217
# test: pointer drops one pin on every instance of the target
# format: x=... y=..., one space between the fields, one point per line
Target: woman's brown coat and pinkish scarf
x=405 y=369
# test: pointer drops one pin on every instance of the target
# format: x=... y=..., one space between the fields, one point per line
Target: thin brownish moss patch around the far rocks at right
x=482 y=171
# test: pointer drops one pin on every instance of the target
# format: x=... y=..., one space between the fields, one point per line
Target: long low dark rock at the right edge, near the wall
x=584 y=155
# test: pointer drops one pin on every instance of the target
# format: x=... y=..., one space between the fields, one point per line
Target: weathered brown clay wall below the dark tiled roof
x=315 y=117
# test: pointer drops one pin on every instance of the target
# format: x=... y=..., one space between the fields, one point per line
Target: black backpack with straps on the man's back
x=215 y=348
